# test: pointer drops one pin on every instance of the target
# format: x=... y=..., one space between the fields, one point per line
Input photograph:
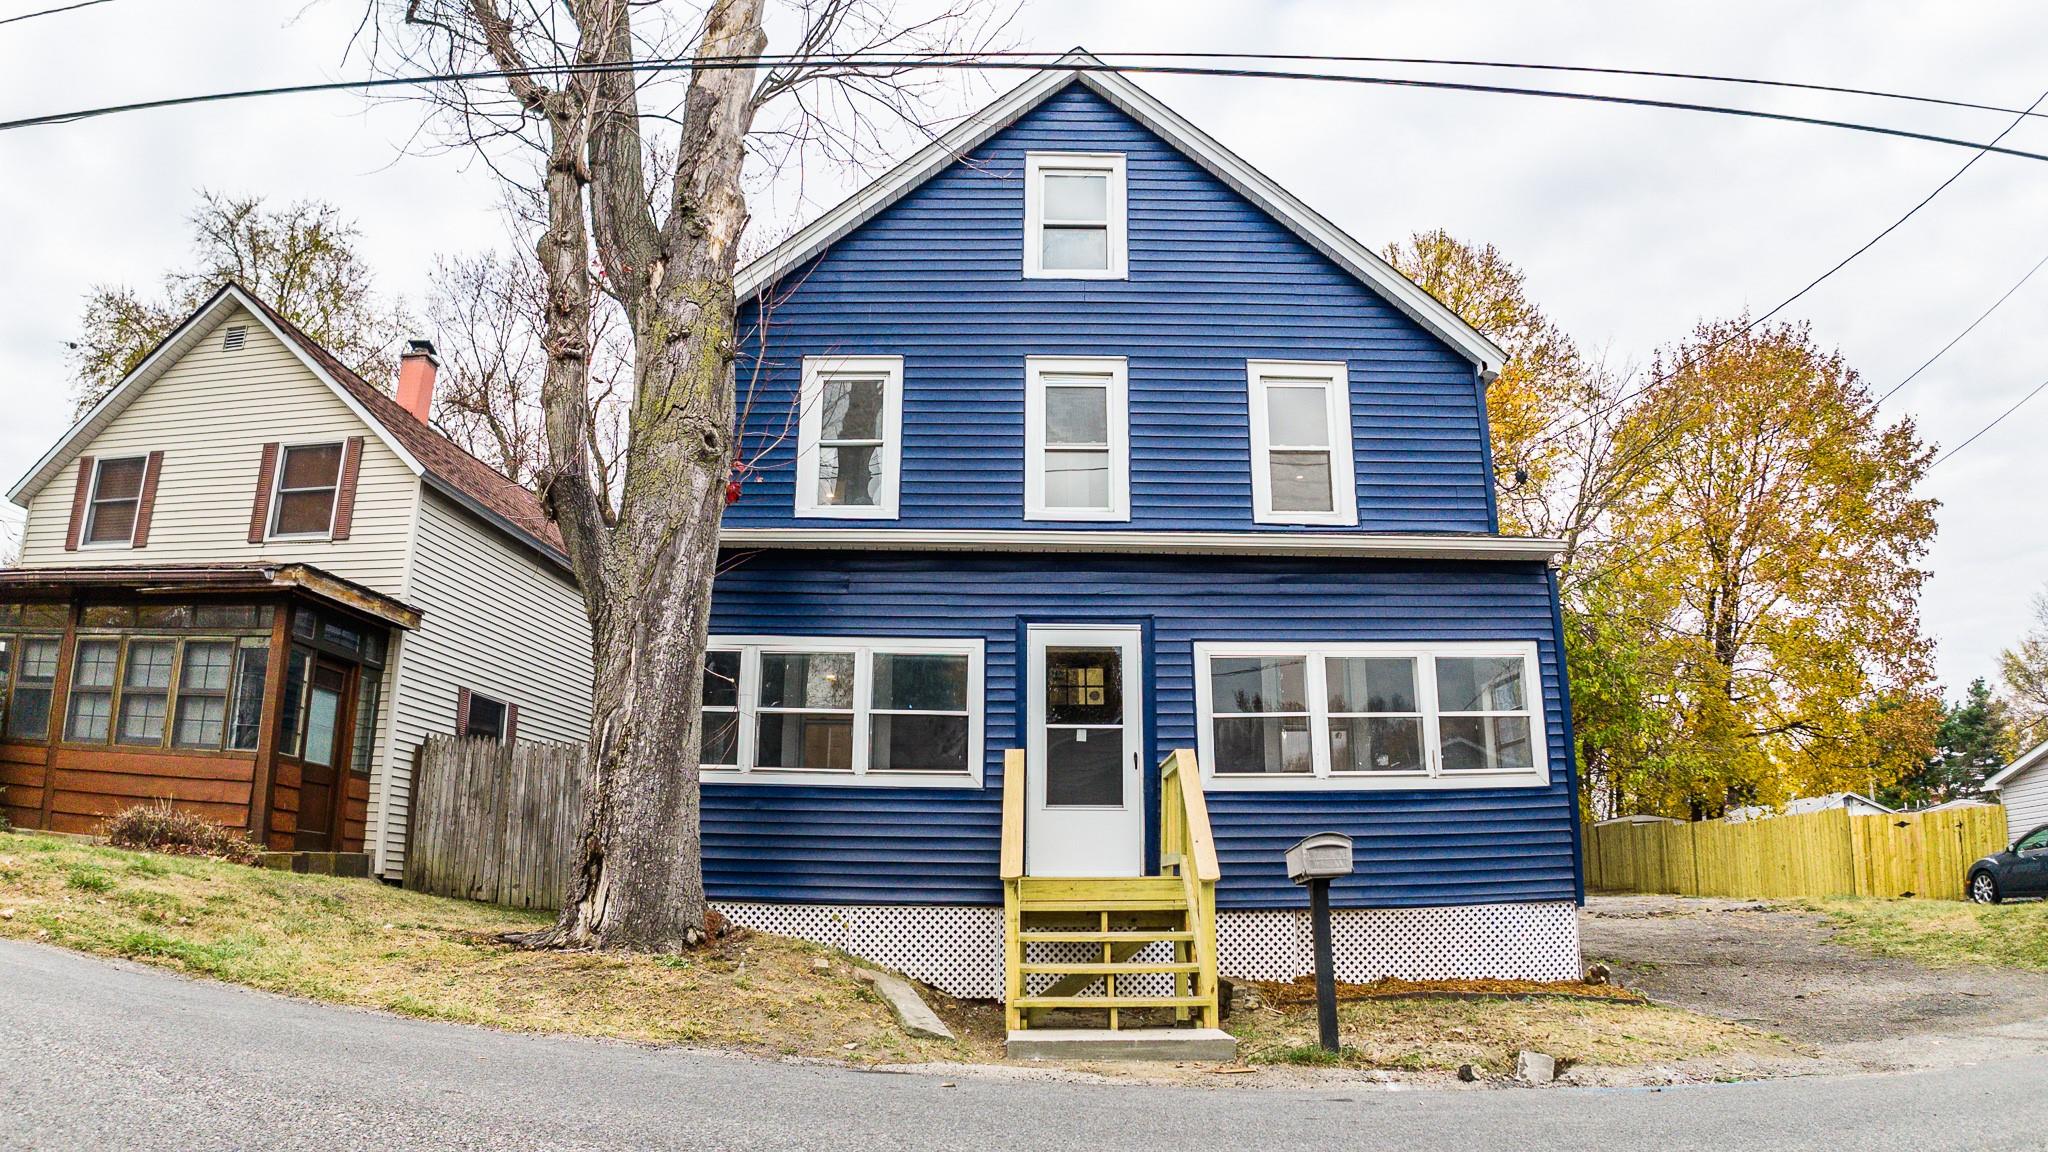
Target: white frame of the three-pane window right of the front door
x=1322 y=778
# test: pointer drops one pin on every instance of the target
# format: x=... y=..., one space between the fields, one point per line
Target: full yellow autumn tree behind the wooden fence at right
x=1770 y=552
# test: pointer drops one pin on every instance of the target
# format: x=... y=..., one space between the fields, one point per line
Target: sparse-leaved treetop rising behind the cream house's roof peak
x=302 y=259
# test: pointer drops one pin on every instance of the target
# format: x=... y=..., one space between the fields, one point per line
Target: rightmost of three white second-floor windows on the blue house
x=1302 y=444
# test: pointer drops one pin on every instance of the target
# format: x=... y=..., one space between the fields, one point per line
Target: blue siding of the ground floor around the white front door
x=939 y=846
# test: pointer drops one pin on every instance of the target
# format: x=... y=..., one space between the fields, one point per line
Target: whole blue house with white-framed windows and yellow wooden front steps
x=1074 y=442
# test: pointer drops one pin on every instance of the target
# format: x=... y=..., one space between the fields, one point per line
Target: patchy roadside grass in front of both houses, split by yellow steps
x=353 y=942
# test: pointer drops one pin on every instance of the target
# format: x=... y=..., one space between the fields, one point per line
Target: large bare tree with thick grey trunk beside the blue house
x=642 y=198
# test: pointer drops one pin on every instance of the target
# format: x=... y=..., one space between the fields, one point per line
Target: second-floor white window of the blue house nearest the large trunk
x=851 y=438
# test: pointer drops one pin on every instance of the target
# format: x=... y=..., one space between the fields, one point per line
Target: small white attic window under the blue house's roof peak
x=1074 y=216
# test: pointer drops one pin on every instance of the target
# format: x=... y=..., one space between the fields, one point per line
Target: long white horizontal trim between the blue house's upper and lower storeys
x=1371 y=546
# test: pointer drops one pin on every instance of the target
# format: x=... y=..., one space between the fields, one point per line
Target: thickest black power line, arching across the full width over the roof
x=976 y=65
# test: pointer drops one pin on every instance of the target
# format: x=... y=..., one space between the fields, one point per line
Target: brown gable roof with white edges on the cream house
x=431 y=456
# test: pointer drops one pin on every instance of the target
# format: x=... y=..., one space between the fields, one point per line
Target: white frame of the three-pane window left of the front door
x=865 y=651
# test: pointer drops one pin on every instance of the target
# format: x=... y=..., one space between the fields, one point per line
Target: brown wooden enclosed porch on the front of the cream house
x=245 y=694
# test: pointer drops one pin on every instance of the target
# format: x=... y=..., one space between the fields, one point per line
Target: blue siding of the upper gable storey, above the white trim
x=1213 y=284
